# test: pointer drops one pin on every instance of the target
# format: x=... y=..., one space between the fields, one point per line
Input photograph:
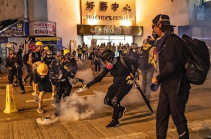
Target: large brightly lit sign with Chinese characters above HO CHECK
x=107 y=12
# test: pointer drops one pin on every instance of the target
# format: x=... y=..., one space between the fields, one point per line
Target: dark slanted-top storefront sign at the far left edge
x=14 y=30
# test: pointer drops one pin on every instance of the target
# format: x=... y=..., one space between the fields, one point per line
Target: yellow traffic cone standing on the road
x=10 y=102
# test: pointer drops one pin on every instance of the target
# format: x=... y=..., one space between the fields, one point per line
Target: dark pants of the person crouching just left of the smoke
x=63 y=89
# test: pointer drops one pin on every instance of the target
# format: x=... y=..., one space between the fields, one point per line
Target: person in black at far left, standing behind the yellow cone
x=15 y=64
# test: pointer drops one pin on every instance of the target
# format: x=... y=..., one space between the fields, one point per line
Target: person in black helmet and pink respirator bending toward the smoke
x=122 y=82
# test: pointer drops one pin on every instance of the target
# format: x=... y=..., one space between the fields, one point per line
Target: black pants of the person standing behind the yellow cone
x=18 y=72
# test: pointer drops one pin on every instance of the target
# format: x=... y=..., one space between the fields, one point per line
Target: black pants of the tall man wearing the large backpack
x=172 y=103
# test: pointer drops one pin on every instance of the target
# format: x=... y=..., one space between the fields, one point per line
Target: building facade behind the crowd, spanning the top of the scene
x=68 y=15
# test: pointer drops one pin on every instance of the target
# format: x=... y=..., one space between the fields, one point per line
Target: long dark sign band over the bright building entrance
x=109 y=30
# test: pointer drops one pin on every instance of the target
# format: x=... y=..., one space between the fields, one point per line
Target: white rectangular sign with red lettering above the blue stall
x=41 y=28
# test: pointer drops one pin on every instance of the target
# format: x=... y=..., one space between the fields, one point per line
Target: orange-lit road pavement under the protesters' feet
x=137 y=122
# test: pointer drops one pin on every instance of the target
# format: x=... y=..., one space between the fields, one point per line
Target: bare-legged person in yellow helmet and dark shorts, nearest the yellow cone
x=42 y=83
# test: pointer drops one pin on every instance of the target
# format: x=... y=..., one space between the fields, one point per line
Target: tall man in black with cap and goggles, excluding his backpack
x=174 y=90
